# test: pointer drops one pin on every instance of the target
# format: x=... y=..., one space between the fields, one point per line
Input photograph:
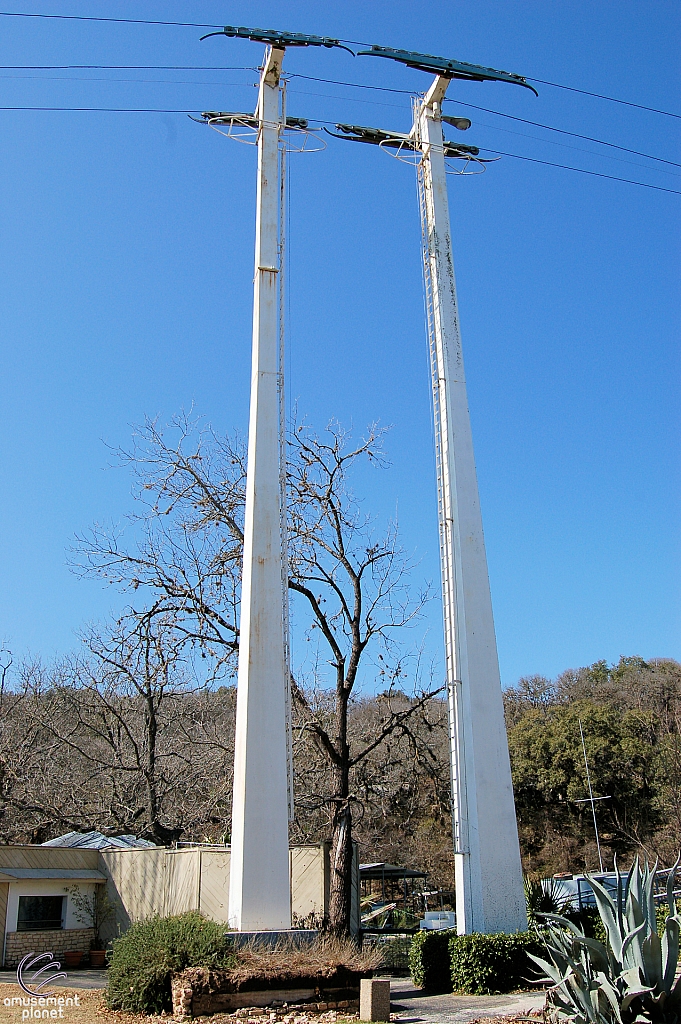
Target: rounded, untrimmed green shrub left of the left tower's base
x=145 y=958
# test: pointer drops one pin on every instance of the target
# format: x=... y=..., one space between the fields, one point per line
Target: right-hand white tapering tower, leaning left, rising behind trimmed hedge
x=489 y=874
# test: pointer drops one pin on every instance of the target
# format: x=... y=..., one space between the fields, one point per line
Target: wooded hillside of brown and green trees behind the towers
x=75 y=755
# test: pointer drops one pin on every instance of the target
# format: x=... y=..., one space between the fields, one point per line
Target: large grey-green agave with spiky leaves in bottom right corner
x=633 y=976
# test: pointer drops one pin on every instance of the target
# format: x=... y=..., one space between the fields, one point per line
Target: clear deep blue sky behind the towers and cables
x=126 y=247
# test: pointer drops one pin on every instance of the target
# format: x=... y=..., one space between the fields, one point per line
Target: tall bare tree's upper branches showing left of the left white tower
x=189 y=530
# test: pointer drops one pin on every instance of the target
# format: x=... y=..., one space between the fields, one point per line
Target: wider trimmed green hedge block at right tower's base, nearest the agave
x=486 y=964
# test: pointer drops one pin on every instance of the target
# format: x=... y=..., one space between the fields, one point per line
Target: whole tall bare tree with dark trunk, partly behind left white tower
x=354 y=587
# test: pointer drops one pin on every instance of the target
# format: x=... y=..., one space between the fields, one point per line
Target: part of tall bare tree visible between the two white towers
x=358 y=587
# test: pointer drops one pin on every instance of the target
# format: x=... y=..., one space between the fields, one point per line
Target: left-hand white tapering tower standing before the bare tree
x=260 y=879
